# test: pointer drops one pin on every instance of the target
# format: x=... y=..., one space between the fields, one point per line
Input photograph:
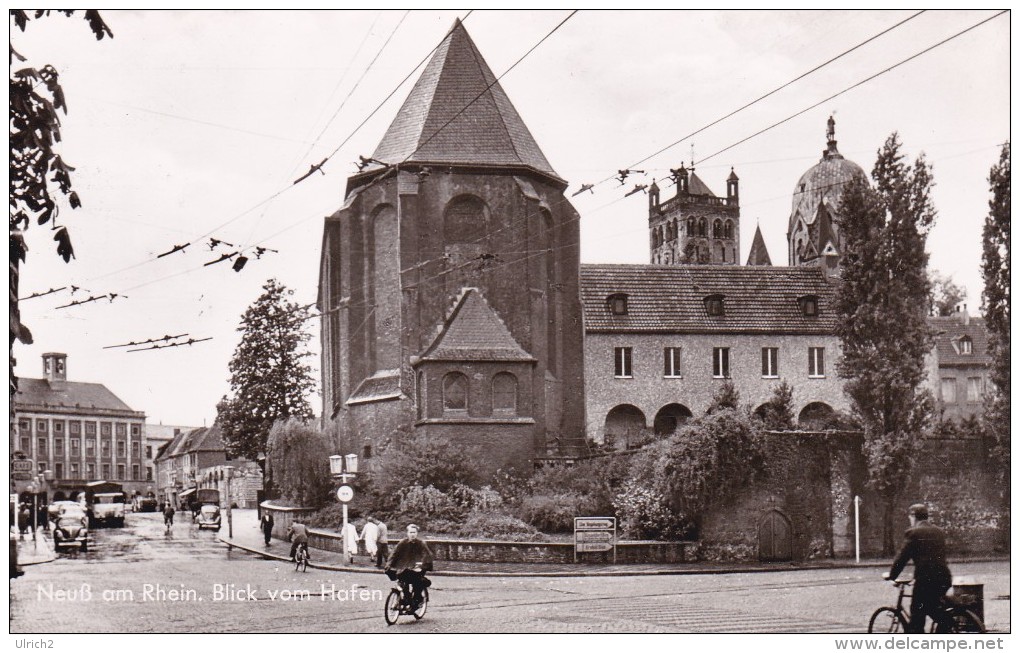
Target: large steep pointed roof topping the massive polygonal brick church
x=452 y=116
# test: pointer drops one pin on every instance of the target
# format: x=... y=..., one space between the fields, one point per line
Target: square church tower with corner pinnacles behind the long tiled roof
x=695 y=226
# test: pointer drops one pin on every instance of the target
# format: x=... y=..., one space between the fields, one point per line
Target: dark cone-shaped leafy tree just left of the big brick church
x=270 y=380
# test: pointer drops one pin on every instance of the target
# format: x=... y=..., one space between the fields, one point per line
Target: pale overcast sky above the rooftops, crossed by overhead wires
x=191 y=125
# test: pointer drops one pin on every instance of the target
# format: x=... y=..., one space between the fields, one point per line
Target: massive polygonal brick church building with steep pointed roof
x=449 y=280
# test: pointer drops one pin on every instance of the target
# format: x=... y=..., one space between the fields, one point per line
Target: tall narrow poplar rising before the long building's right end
x=882 y=309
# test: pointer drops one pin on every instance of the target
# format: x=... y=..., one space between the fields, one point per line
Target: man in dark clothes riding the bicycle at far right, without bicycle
x=926 y=545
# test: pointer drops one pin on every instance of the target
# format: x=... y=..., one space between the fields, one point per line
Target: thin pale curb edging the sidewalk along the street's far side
x=596 y=573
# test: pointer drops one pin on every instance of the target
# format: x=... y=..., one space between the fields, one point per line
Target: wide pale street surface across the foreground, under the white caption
x=139 y=580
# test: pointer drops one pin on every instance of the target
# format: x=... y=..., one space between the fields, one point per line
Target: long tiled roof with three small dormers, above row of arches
x=673 y=298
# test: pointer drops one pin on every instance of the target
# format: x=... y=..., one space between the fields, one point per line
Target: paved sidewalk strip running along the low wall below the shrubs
x=248 y=538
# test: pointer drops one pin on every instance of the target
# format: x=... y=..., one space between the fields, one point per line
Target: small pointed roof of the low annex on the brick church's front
x=475 y=332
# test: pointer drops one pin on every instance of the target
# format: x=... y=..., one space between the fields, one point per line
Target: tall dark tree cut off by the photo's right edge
x=996 y=297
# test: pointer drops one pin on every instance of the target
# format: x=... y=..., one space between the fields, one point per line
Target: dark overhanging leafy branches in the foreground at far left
x=38 y=175
